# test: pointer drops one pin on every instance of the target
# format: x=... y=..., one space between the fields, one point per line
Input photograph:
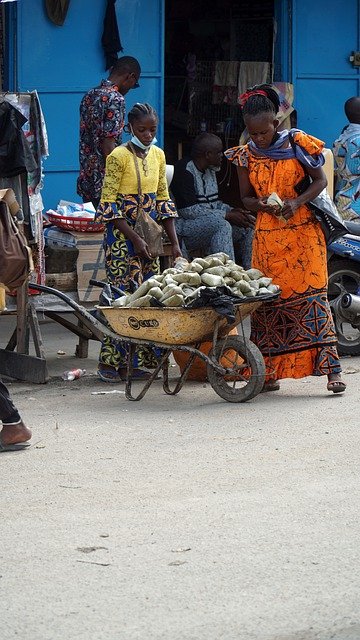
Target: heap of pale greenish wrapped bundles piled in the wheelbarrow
x=179 y=285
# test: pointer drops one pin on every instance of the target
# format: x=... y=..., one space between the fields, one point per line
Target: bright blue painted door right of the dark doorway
x=325 y=32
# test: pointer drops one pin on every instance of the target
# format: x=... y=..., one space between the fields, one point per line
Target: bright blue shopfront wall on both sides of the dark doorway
x=314 y=43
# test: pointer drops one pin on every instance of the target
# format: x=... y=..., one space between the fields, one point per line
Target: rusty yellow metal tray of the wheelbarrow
x=173 y=325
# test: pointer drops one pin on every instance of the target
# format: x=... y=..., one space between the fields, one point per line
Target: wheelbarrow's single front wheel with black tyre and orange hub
x=245 y=365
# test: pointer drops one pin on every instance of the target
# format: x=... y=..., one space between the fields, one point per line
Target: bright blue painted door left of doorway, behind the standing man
x=62 y=63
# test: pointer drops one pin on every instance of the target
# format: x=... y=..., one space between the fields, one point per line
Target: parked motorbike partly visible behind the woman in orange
x=344 y=289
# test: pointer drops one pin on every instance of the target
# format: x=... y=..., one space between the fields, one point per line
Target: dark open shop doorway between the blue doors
x=206 y=46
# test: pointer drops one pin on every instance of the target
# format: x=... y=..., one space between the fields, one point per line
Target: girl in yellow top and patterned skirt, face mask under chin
x=127 y=259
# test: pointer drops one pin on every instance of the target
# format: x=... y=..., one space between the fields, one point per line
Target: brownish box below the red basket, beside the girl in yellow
x=90 y=264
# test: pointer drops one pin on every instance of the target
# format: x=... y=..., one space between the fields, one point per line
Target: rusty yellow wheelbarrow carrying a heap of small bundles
x=235 y=366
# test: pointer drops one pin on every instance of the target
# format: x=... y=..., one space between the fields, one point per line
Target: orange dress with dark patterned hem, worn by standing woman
x=295 y=333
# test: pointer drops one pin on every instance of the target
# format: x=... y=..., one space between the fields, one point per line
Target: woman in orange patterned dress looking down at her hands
x=296 y=333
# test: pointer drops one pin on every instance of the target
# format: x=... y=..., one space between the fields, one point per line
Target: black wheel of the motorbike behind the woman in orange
x=344 y=277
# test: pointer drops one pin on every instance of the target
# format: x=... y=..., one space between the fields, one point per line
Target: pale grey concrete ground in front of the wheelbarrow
x=180 y=518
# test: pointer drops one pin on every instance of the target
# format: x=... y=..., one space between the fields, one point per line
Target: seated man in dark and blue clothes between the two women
x=205 y=222
